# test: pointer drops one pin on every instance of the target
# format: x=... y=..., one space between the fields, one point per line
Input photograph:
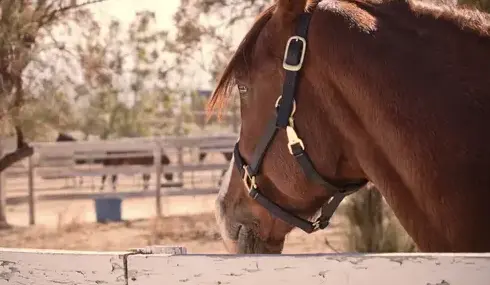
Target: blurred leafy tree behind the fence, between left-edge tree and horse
x=126 y=86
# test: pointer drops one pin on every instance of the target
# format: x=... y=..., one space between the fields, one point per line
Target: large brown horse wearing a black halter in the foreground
x=392 y=92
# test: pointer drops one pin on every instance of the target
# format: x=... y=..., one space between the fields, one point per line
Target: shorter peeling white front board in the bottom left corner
x=43 y=267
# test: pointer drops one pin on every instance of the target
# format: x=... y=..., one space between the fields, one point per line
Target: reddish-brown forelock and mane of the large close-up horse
x=465 y=18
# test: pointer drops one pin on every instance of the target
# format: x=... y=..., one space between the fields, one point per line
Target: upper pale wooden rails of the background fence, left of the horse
x=56 y=160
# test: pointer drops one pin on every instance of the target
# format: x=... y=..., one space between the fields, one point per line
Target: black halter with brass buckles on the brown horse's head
x=284 y=119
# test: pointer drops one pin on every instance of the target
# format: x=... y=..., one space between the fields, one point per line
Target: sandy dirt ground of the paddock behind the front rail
x=188 y=221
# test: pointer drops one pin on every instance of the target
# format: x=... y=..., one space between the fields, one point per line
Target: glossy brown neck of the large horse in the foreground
x=413 y=108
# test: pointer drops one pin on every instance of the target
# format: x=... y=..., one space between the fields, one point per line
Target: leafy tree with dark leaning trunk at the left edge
x=24 y=25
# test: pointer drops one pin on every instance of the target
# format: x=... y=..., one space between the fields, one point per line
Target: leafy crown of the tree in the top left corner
x=23 y=26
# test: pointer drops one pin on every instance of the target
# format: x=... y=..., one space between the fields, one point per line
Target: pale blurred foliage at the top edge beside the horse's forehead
x=201 y=24
